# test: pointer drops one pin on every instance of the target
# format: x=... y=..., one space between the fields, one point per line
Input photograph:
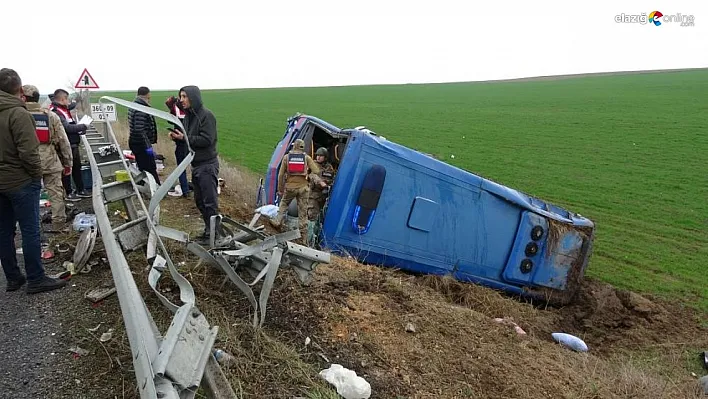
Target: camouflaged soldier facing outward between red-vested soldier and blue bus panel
x=320 y=184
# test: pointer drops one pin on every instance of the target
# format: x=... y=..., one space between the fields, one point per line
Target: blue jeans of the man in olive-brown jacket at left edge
x=21 y=206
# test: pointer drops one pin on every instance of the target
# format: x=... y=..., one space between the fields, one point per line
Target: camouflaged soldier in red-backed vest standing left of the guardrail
x=55 y=151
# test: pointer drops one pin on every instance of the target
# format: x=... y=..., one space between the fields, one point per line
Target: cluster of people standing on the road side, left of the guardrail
x=38 y=146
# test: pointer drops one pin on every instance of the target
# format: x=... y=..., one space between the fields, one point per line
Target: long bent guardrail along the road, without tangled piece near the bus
x=173 y=365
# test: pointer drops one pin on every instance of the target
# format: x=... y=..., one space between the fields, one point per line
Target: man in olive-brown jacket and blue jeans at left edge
x=20 y=184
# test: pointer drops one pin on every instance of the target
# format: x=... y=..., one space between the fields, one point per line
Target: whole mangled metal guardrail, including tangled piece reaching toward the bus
x=172 y=366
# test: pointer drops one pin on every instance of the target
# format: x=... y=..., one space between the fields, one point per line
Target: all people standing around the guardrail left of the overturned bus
x=40 y=146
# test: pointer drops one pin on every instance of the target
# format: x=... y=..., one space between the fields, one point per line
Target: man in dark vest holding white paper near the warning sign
x=60 y=105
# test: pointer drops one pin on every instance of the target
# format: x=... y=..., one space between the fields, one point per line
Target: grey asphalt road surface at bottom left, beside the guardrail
x=39 y=331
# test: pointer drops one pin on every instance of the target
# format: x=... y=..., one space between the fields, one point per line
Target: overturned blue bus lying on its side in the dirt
x=394 y=206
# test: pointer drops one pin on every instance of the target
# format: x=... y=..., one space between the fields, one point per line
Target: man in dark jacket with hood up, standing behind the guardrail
x=201 y=133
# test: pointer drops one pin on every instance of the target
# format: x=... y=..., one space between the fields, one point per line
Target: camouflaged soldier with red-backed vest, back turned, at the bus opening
x=293 y=176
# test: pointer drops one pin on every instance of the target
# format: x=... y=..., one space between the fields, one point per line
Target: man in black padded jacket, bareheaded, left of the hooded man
x=143 y=134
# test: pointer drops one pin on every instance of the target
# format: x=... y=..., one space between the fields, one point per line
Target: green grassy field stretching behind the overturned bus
x=627 y=151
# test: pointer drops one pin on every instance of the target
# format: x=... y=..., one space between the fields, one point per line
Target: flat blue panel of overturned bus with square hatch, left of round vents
x=424 y=221
